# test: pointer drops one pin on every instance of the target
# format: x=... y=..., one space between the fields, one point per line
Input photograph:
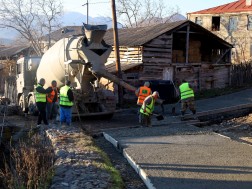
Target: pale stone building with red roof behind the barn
x=232 y=22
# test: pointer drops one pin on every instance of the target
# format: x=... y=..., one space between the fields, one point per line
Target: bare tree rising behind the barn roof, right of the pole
x=136 y=13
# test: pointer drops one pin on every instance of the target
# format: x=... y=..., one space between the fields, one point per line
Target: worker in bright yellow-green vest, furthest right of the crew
x=187 y=98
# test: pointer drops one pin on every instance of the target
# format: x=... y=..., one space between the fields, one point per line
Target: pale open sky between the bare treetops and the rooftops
x=103 y=7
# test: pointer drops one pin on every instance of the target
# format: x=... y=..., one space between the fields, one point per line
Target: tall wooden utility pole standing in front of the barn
x=116 y=49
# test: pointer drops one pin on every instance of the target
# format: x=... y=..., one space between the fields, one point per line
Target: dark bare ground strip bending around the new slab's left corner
x=122 y=119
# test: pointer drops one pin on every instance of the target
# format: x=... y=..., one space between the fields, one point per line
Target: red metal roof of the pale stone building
x=237 y=6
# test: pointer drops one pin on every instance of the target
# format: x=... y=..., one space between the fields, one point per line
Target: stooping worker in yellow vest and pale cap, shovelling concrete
x=147 y=109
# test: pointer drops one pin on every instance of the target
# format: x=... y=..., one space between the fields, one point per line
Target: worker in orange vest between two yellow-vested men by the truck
x=52 y=99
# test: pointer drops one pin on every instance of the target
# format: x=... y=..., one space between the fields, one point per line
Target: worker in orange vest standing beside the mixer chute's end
x=142 y=92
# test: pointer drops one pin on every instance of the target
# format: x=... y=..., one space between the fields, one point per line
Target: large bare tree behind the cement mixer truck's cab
x=31 y=18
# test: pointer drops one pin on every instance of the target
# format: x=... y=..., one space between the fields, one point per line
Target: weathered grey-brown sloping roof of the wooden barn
x=141 y=35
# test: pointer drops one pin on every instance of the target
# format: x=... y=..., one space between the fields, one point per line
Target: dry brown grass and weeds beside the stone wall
x=29 y=165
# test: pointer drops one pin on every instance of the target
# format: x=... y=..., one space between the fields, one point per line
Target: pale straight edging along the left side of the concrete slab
x=133 y=164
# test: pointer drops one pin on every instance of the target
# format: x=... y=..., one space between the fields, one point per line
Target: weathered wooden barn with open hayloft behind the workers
x=172 y=51
